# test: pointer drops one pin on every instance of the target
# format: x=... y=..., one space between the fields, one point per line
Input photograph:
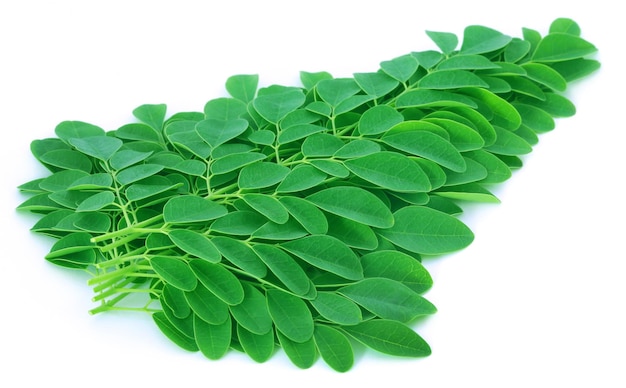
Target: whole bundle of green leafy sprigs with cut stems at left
x=297 y=217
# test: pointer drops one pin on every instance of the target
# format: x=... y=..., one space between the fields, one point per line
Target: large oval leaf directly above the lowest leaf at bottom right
x=388 y=299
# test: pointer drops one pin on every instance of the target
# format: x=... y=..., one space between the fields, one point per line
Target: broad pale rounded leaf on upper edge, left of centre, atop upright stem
x=275 y=102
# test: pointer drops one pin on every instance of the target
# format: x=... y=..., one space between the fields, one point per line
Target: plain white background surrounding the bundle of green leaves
x=537 y=300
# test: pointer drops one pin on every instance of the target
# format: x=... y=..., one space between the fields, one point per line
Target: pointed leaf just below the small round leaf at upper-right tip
x=559 y=46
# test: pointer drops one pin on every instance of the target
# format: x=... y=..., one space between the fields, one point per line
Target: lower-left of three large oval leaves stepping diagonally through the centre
x=327 y=253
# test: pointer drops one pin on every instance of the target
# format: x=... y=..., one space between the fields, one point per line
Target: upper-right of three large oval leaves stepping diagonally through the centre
x=390 y=170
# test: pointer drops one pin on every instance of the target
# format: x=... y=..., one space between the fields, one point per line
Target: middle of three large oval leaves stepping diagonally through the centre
x=353 y=203
